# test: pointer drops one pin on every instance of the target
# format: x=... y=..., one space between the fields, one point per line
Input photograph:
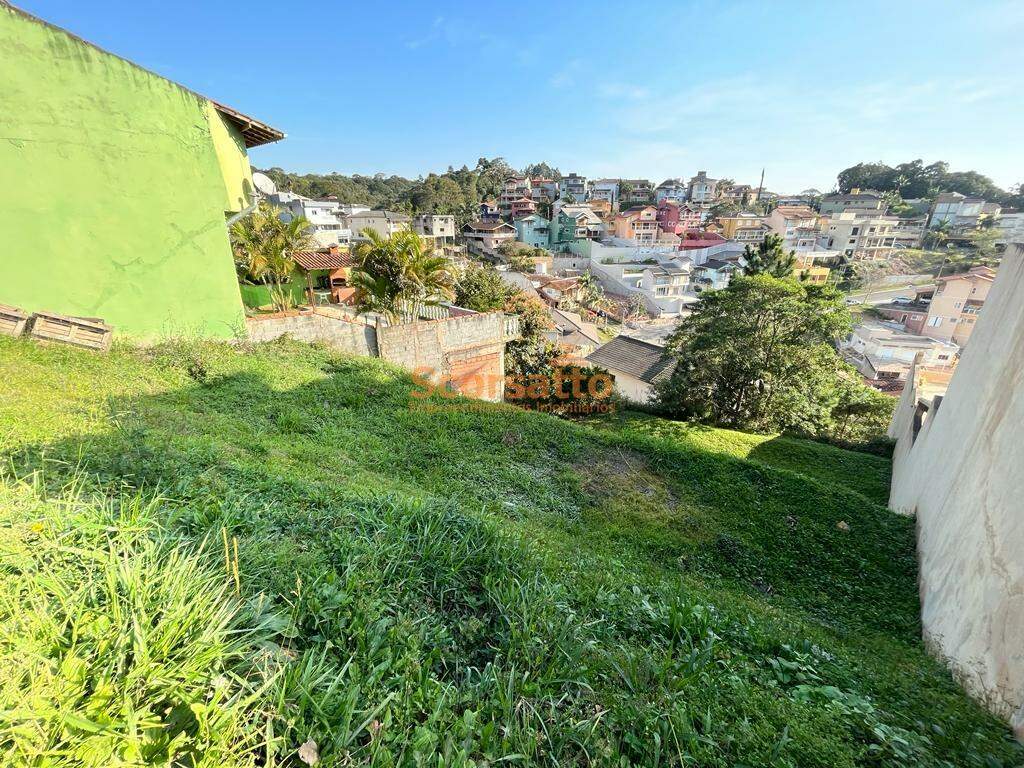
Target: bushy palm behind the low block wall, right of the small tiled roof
x=399 y=275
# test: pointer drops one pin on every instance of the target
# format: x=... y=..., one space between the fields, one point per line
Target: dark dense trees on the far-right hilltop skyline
x=915 y=180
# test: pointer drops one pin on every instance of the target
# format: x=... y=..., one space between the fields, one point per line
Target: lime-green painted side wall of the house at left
x=113 y=190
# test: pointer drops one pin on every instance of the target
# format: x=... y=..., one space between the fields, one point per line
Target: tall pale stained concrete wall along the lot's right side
x=964 y=479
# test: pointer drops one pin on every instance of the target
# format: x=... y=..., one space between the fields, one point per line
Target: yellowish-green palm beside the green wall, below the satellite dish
x=264 y=245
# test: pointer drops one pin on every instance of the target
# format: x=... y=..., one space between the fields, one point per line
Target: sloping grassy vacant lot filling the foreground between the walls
x=218 y=557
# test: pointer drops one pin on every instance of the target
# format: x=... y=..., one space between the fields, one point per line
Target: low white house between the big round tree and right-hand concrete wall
x=881 y=353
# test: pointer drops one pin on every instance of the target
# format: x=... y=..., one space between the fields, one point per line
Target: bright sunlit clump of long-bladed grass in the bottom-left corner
x=120 y=645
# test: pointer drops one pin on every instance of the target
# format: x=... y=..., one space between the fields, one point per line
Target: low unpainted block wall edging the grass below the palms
x=466 y=354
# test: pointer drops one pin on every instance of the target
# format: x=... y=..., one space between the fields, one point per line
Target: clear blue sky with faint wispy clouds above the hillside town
x=607 y=90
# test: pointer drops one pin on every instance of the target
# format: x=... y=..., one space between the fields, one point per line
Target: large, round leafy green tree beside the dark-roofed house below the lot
x=759 y=356
